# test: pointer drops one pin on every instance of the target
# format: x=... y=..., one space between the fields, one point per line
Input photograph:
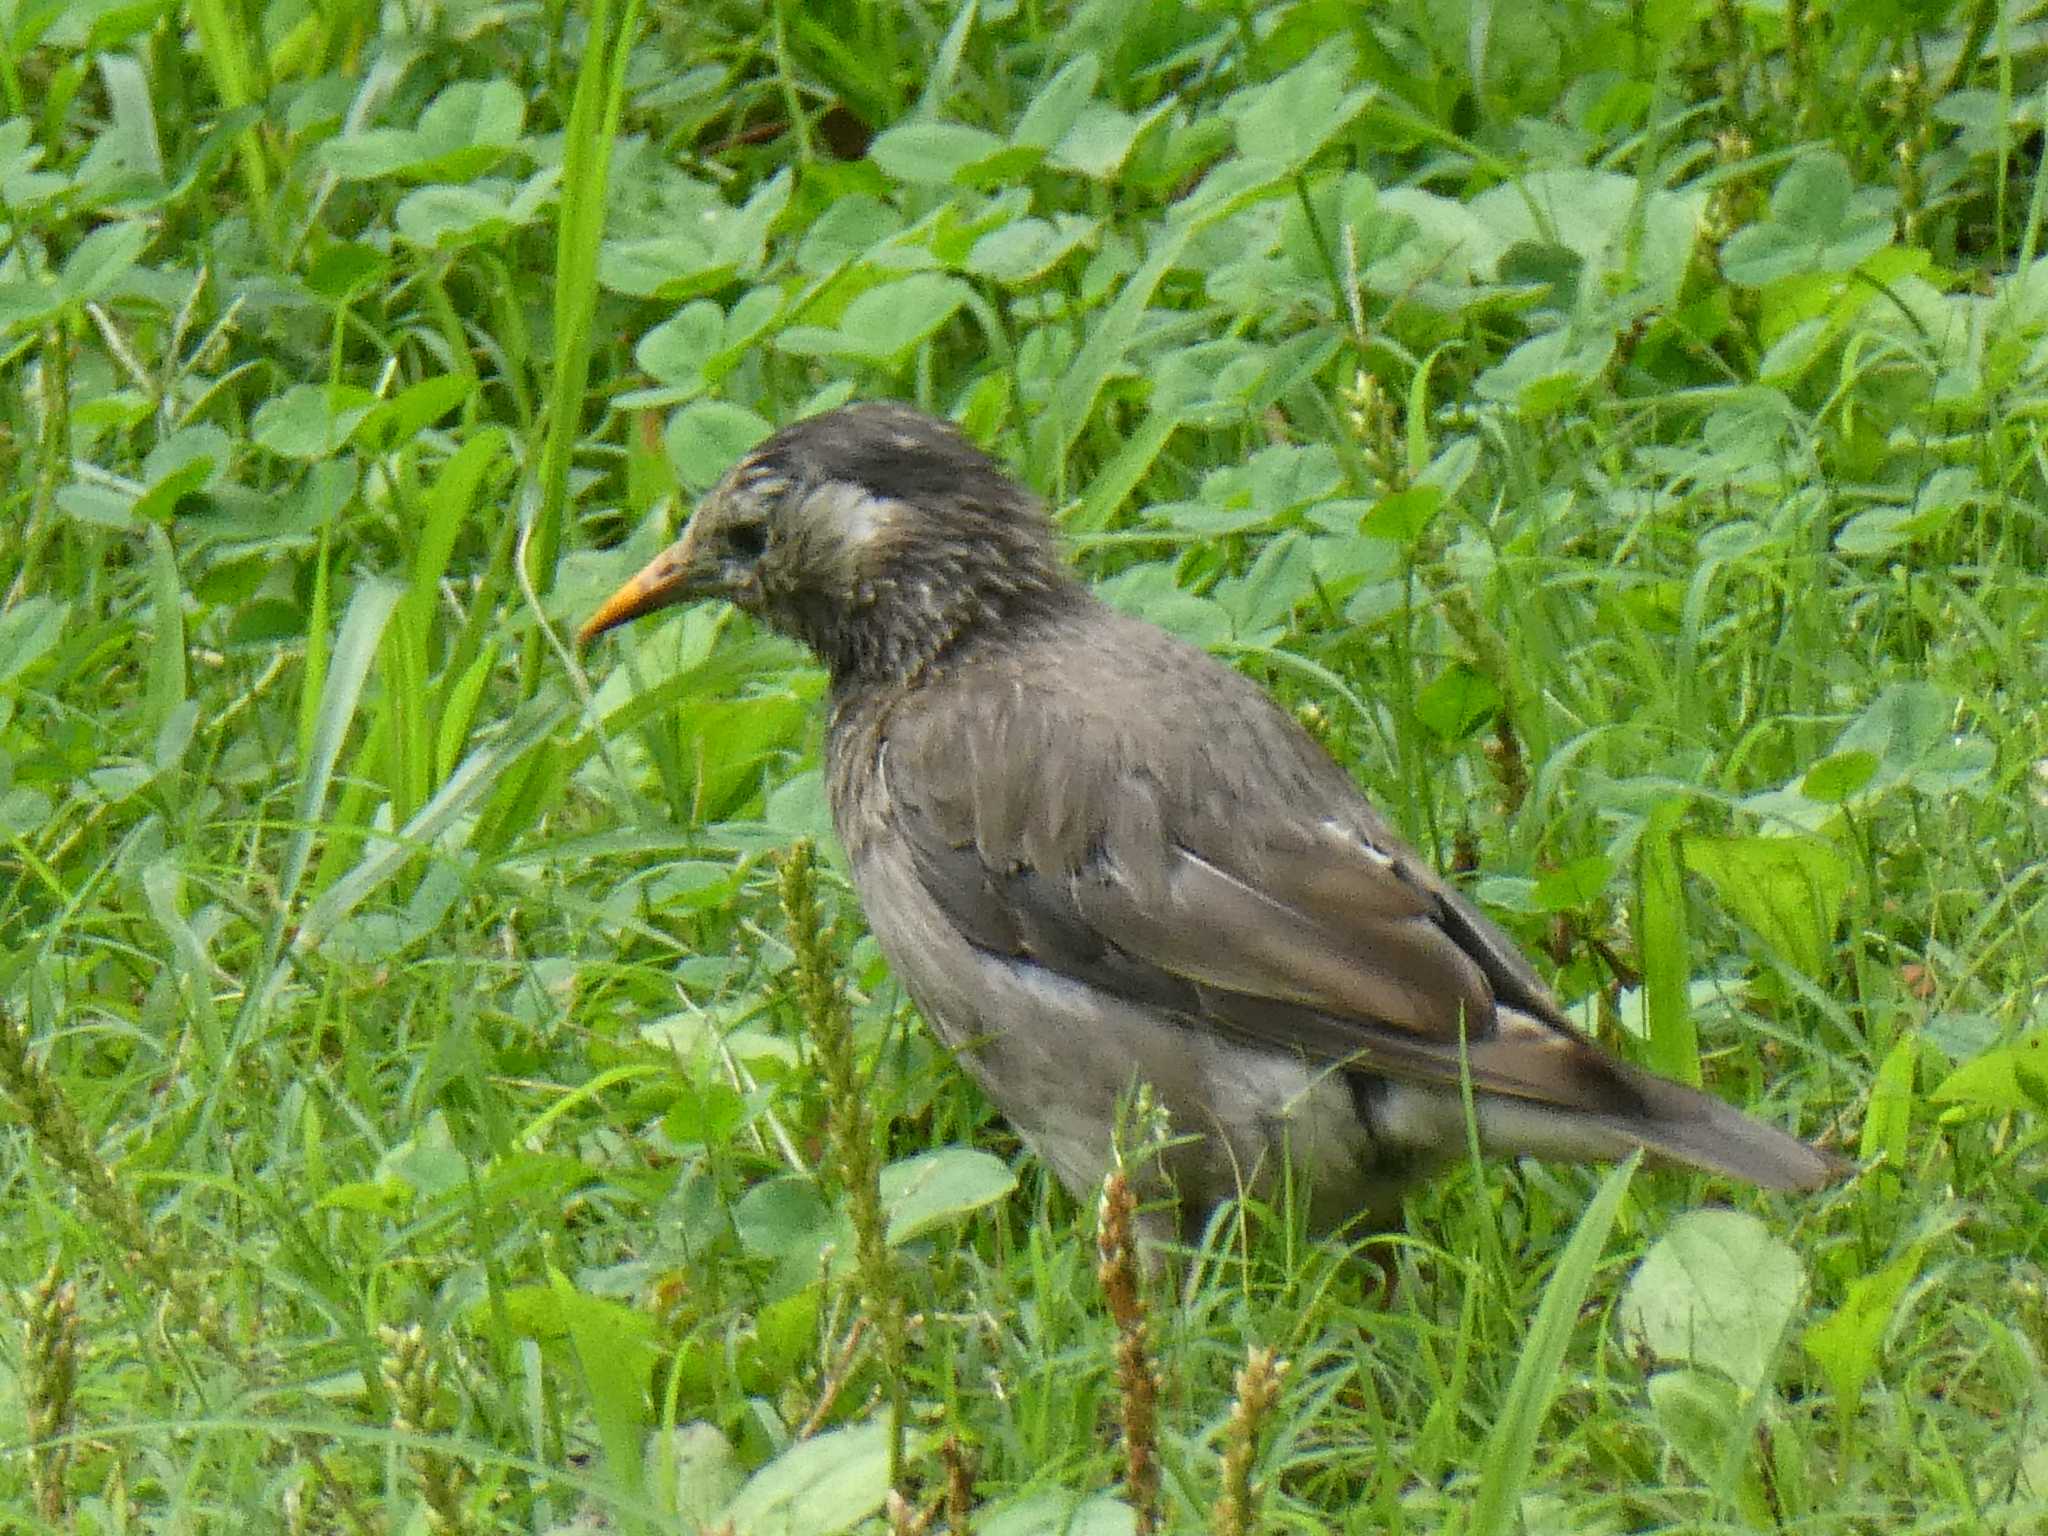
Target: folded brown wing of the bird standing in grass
x=1240 y=882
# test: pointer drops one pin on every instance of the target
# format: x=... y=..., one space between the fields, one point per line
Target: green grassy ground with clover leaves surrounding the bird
x=1615 y=427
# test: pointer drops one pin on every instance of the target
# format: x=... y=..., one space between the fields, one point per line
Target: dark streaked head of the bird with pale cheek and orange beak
x=876 y=534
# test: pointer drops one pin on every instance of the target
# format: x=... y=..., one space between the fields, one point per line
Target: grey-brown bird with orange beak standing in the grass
x=1103 y=861
